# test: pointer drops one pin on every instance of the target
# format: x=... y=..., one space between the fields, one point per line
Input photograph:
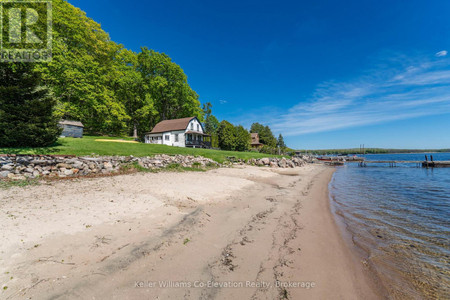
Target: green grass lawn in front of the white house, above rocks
x=88 y=146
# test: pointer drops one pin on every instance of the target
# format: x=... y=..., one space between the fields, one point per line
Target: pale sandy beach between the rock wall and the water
x=242 y=233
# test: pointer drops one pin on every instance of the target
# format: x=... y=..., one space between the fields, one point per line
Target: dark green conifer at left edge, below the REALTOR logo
x=27 y=116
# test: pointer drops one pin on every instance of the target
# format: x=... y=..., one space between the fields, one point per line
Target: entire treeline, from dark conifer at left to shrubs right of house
x=110 y=89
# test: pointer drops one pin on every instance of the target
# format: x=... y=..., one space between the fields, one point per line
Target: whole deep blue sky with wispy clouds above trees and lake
x=325 y=74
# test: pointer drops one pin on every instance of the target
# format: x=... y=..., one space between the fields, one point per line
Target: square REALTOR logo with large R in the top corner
x=25 y=31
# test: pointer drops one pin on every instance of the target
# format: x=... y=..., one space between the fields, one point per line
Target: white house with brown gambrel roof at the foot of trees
x=186 y=132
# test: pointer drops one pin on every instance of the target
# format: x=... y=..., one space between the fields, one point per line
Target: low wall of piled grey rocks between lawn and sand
x=20 y=167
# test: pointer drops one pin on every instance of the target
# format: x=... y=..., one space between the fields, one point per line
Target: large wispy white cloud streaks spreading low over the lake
x=387 y=94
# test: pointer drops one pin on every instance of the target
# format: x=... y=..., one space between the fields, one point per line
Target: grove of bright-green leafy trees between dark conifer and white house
x=110 y=89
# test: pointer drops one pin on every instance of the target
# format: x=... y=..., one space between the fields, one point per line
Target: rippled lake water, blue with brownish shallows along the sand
x=400 y=220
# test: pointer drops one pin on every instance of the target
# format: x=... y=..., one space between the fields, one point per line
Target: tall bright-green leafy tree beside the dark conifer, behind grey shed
x=82 y=71
